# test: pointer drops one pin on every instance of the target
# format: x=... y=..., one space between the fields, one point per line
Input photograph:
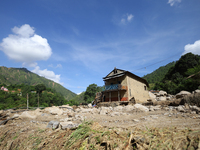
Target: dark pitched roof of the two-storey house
x=119 y=72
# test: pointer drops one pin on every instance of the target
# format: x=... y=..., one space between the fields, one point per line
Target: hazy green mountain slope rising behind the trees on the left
x=11 y=76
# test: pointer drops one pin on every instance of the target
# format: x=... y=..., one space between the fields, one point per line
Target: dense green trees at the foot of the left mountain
x=17 y=96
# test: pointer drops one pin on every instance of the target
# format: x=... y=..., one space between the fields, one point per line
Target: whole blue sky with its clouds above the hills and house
x=78 y=42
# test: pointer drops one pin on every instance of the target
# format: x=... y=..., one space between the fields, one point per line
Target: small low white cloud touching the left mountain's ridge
x=47 y=74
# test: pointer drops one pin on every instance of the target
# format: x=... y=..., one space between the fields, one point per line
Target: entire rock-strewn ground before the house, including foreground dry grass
x=86 y=127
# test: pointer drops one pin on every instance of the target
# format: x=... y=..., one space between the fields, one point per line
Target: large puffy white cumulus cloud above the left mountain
x=25 y=46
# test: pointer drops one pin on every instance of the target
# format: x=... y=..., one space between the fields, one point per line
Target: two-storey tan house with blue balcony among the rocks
x=121 y=85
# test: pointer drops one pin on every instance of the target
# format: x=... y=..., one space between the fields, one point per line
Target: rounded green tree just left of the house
x=91 y=90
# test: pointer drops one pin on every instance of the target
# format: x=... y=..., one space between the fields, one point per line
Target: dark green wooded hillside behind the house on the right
x=182 y=75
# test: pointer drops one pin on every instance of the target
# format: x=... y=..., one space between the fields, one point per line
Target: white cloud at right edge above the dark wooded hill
x=193 y=48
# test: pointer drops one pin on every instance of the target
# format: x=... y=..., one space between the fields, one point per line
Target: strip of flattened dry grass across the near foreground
x=91 y=135
